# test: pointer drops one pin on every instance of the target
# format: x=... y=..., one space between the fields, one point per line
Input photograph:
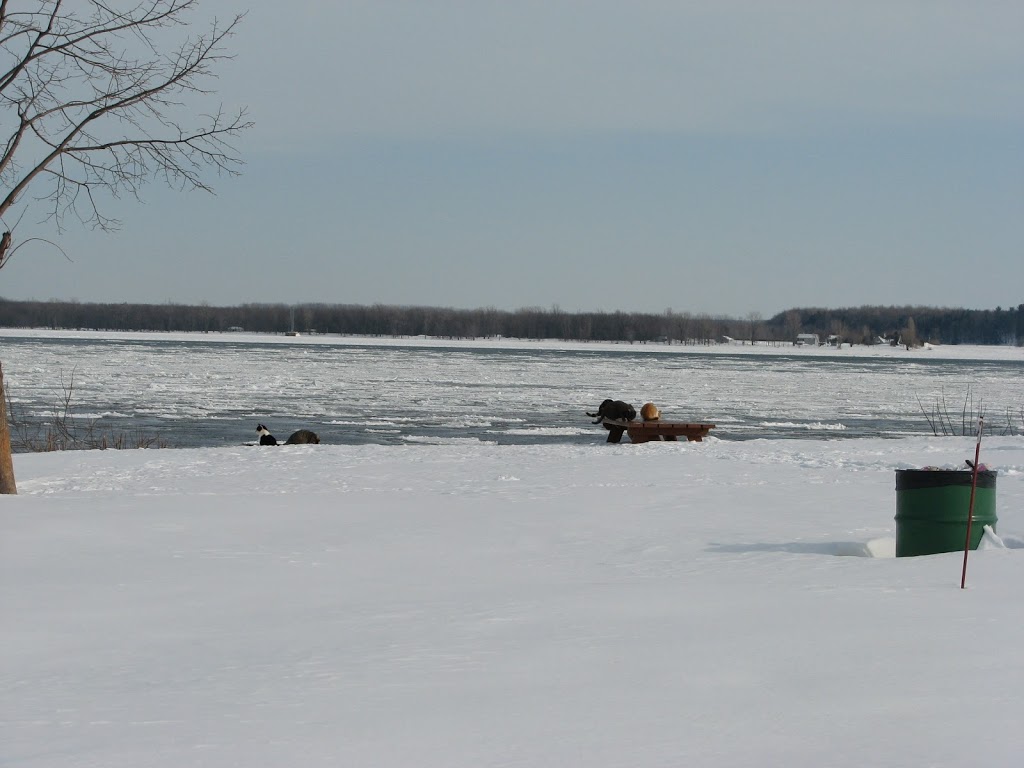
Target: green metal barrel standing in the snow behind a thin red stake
x=932 y=508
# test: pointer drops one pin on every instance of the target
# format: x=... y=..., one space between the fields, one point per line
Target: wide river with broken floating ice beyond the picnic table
x=198 y=391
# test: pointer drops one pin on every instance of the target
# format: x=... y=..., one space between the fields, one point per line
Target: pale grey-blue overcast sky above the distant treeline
x=729 y=157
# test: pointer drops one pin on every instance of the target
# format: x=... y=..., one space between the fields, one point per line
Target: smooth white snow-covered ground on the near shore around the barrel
x=724 y=604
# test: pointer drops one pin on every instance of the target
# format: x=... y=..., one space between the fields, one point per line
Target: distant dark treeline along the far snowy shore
x=865 y=325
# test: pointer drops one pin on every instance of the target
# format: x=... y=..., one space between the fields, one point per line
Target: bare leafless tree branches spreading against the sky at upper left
x=92 y=93
